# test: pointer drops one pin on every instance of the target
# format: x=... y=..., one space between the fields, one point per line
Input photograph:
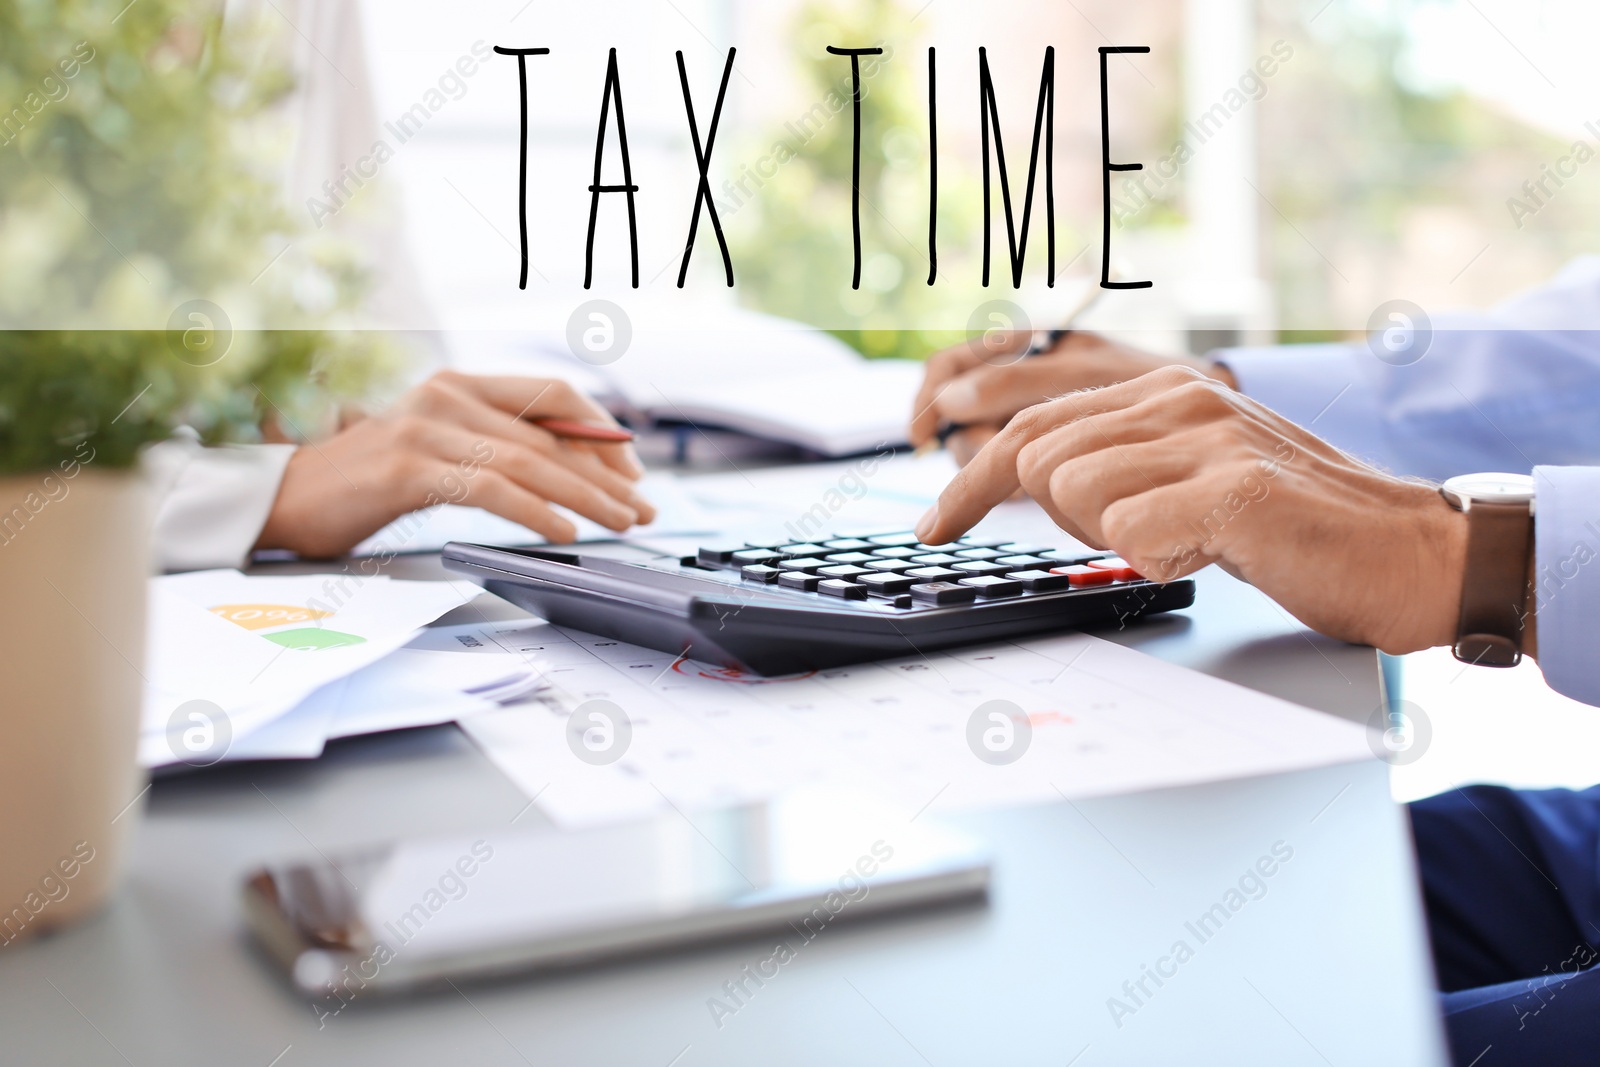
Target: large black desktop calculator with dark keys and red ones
x=774 y=607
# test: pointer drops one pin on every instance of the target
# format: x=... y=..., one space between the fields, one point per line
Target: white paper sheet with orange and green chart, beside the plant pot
x=231 y=655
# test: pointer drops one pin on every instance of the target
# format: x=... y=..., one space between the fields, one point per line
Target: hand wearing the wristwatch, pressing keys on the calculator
x=1175 y=471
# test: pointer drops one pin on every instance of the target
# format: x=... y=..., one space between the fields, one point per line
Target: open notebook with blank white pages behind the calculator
x=743 y=372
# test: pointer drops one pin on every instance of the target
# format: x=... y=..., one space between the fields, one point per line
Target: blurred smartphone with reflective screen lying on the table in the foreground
x=418 y=913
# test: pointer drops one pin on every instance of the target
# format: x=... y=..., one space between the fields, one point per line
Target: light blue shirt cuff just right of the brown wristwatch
x=1567 y=578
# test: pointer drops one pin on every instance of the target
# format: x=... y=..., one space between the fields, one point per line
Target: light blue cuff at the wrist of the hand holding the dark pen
x=1329 y=390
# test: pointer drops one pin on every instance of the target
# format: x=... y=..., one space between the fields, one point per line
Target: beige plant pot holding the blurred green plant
x=74 y=562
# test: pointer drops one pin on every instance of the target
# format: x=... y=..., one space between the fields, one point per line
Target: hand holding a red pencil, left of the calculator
x=463 y=441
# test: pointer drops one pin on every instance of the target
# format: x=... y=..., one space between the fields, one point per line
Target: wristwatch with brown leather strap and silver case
x=1495 y=585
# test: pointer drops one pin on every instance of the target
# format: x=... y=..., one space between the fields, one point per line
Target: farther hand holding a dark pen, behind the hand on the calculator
x=982 y=385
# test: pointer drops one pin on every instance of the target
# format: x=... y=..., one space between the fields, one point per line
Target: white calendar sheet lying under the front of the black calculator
x=935 y=732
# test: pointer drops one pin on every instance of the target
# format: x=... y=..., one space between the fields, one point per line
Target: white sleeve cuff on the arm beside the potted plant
x=212 y=503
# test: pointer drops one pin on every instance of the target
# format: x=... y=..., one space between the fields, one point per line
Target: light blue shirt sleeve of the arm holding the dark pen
x=1500 y=391
